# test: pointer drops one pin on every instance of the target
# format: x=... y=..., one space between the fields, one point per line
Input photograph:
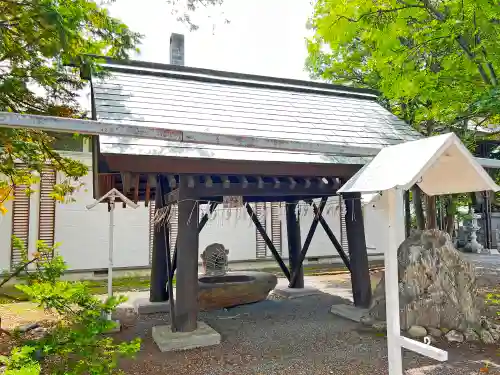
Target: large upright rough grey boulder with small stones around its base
x=438 y=292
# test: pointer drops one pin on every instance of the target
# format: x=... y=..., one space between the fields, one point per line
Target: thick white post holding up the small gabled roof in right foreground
x=395 y=208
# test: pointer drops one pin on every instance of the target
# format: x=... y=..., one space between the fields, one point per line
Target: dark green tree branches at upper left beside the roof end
x=39 y=42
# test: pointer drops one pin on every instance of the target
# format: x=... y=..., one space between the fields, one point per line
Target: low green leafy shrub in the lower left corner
x=77 y=344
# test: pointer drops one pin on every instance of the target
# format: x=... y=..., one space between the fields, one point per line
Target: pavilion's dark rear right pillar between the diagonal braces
x=294 y=243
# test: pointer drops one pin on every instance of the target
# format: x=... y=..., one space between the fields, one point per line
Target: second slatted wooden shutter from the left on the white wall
x=47 y=214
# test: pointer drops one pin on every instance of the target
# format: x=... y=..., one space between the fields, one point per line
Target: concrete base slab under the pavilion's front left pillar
x=170 y=341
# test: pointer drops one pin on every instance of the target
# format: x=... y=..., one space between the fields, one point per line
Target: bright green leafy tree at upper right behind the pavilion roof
x=434 y=62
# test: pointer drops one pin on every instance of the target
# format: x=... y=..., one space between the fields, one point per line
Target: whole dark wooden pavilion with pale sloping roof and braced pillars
x=345 y=128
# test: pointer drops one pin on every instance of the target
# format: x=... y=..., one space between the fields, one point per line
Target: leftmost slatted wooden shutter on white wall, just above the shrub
x=20 y=223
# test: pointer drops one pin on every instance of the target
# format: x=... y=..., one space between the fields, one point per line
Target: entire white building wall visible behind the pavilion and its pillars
x=83 y=234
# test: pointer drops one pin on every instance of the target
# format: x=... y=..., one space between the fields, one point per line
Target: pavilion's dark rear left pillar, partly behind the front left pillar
x=157 y=289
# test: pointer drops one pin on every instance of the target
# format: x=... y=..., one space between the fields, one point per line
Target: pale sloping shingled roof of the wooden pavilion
x=190 y=99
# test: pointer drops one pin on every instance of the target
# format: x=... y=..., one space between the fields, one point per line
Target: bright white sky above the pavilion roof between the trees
x=265 y=37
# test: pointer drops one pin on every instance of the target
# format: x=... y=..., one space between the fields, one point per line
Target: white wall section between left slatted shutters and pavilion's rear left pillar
x=84 y=234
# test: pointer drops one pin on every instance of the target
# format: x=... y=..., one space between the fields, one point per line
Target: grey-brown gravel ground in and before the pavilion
x=280 y=336
